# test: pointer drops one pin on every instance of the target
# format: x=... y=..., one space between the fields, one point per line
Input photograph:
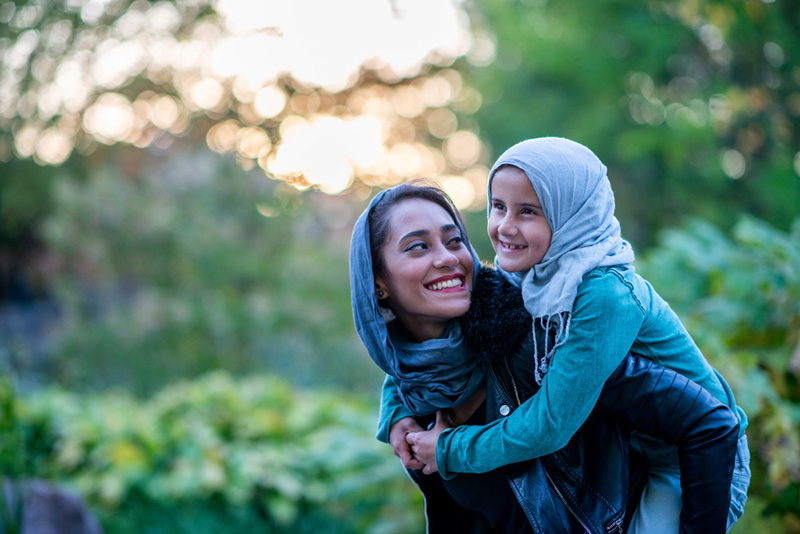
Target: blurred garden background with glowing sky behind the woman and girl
x=178 y=183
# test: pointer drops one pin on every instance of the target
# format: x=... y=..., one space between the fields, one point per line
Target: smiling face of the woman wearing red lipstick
x=428 y=268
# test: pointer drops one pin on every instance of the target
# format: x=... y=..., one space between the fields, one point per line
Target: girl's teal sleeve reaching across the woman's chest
x=606 y=319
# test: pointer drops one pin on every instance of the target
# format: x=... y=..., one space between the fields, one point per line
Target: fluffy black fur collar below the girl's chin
x=497 y=317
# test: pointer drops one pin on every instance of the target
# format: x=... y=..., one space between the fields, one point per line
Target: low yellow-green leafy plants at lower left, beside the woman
x=219 y=454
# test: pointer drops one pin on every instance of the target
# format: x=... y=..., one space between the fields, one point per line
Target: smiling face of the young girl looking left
x=517 y=227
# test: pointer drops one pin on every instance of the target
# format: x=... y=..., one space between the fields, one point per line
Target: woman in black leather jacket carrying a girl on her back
x=413 y=274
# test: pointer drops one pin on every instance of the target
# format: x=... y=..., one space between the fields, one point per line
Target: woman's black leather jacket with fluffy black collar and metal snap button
x=593 y=478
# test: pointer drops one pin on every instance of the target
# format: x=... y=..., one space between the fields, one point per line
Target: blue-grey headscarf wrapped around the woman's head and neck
x=432 y=375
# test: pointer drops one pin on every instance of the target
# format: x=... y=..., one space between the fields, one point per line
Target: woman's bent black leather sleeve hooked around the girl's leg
x=666 y=405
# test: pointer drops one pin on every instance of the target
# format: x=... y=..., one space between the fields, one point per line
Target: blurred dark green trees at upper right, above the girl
x=676 y=97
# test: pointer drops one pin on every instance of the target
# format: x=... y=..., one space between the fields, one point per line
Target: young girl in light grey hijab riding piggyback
x=552 y=225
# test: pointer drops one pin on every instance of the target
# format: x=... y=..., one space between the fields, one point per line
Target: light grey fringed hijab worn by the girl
x=576 y=197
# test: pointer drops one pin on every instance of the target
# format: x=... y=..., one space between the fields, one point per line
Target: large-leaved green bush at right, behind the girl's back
x=740 y=298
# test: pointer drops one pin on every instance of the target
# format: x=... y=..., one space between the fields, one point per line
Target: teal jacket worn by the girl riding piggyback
x=615 y=311
